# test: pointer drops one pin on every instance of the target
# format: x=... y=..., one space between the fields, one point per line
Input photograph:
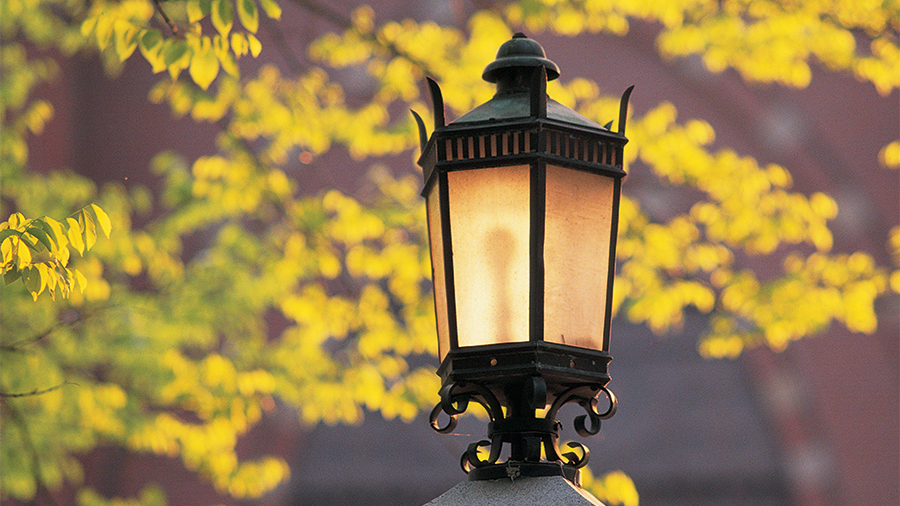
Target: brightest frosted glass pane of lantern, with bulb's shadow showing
x=489 y=218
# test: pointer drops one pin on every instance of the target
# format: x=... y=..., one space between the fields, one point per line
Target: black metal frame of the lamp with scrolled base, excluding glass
x=513 y=380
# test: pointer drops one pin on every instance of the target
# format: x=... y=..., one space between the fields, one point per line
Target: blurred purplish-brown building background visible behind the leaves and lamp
x=814 y=425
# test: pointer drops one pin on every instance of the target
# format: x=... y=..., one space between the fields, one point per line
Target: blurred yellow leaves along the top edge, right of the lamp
x=764 y=40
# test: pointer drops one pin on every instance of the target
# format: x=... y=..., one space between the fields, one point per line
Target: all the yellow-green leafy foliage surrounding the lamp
x=169 y=347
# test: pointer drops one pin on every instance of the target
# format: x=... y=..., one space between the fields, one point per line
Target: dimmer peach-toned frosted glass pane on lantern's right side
x=576 y=256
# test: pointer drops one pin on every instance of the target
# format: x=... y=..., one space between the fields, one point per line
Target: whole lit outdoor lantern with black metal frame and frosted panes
x=522 y=195
